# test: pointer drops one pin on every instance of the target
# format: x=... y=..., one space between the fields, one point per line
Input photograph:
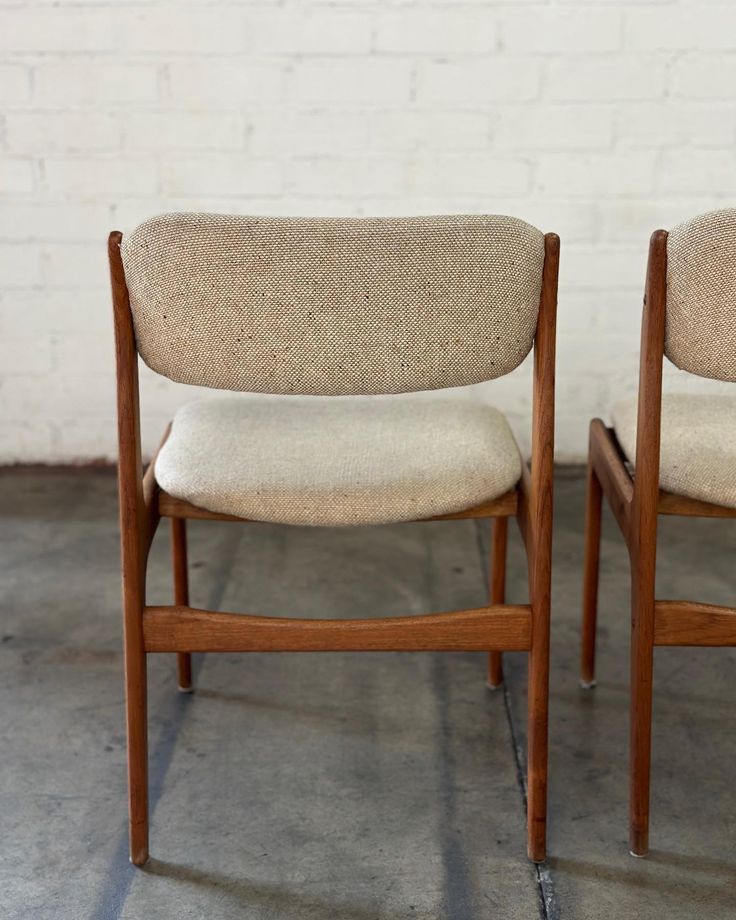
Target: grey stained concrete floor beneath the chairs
x=346 y=786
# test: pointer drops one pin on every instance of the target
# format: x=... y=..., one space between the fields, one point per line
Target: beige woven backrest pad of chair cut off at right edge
x=701 y=295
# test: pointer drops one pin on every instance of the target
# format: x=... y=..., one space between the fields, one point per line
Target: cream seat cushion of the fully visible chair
x=337 y=461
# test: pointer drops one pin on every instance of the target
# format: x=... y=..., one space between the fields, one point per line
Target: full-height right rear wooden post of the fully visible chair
x=539 y=546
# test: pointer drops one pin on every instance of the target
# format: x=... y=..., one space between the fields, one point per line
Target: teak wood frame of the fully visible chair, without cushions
x=182 y=629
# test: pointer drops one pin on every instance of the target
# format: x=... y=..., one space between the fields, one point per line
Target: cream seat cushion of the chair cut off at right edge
x=698 y=444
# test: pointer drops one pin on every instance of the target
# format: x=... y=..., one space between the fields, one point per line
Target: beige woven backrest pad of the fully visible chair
x=333 y=306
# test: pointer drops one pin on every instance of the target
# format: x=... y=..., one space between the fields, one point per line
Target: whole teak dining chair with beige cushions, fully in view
x=355 y=312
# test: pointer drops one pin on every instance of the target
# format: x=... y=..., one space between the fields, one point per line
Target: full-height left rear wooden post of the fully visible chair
x=134 y=549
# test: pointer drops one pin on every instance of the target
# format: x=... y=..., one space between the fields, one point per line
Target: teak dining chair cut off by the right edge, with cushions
x=671 y=454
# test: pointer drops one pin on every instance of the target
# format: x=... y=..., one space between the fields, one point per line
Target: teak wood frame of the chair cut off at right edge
x=636 y=502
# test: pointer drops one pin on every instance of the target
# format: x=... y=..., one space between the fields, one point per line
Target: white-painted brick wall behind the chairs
x=599 y=120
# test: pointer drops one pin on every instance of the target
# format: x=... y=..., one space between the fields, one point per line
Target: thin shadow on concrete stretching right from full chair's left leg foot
x=274 y=899
